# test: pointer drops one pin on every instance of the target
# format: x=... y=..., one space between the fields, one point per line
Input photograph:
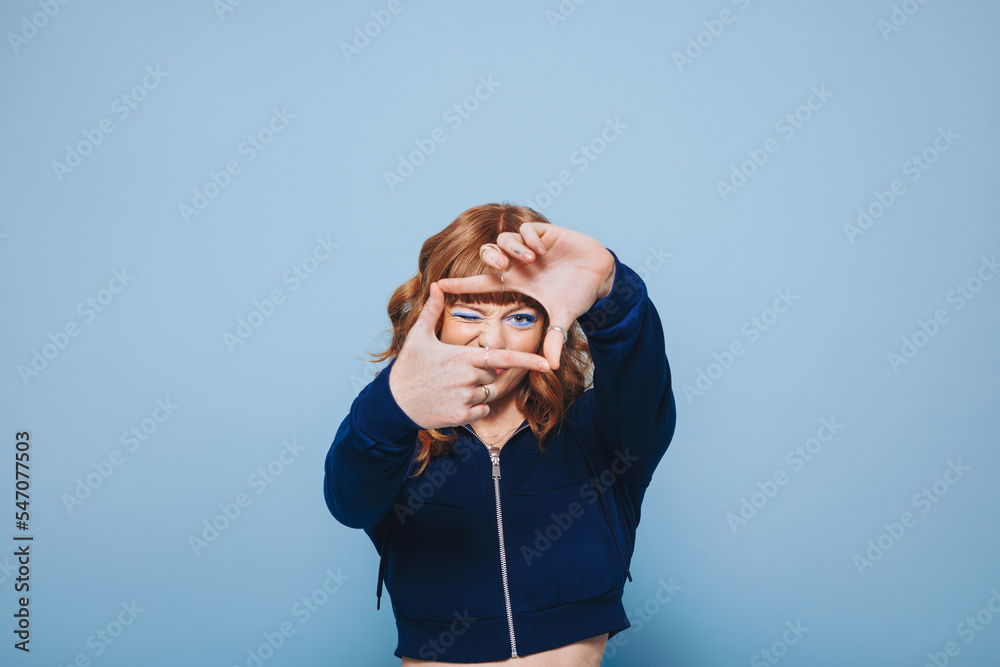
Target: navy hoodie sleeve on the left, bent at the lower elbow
x=370 y=456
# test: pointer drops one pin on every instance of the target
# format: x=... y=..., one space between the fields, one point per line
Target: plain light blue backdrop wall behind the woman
x=653 y=191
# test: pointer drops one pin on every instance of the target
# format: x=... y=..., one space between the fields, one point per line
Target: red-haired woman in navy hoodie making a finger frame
x=498 y=463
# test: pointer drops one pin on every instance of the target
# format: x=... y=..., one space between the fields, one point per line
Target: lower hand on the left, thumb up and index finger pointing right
x=439 y=385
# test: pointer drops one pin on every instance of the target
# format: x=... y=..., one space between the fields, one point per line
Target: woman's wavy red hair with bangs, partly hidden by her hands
x=453 y=252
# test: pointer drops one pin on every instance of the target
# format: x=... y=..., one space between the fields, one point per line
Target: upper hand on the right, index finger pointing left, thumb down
x=564 y=270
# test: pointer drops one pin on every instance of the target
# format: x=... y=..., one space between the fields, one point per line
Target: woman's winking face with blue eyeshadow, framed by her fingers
x=512 y=327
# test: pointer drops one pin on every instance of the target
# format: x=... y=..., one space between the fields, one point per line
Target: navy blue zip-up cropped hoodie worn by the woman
x=485 y=559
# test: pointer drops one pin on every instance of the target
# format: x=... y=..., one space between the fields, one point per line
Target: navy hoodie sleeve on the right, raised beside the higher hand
x=633 y=406
